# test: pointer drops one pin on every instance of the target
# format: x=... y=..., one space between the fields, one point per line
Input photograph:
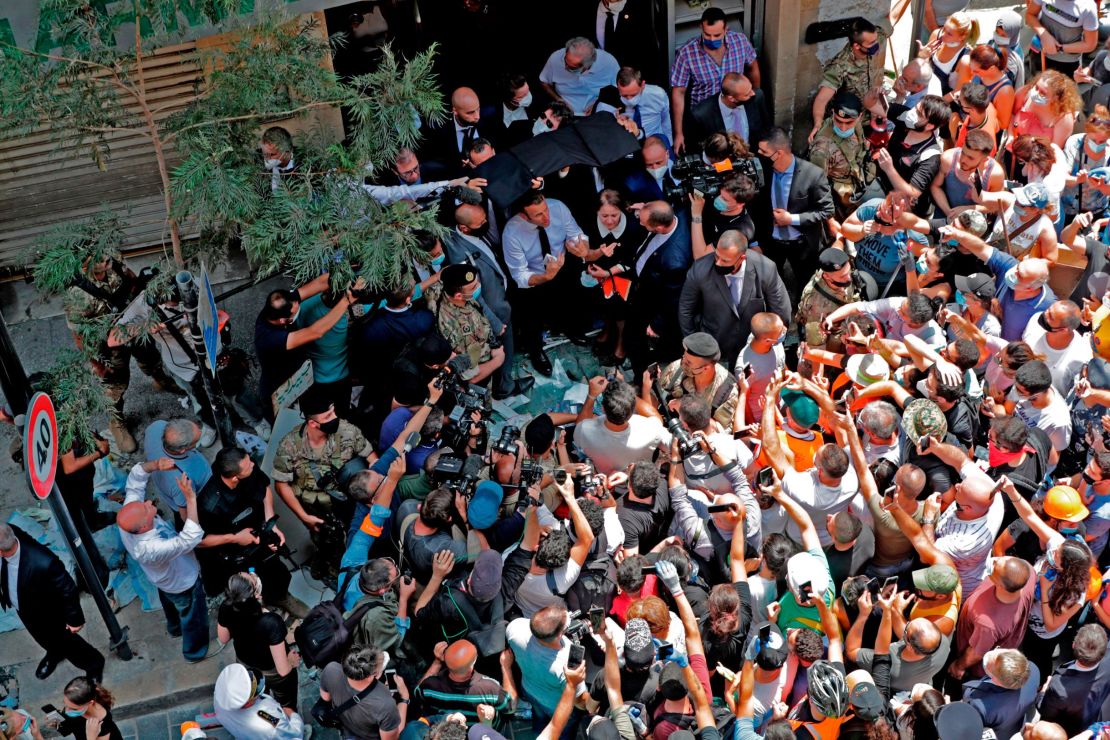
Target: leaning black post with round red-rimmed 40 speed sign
x=41 y=455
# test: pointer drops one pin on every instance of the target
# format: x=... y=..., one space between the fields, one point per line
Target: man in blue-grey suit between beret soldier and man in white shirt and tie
x=470 y=242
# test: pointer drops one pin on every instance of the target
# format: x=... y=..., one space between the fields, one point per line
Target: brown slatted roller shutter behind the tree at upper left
x=42 y=184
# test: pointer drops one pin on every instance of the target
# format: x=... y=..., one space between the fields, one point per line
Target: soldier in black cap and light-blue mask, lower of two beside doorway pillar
x=842 y=151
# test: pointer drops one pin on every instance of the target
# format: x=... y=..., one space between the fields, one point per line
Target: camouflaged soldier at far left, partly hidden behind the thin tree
x=104 y=289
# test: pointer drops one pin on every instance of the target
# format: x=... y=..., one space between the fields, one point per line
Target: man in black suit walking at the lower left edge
x=35 y=582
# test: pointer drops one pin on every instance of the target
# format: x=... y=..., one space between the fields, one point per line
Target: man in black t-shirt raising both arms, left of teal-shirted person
x=281 y=351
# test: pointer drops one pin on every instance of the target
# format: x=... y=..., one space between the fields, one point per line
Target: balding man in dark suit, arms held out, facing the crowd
x=726 y=289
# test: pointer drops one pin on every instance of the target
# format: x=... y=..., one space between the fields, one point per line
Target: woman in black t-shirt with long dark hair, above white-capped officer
x=259 y=636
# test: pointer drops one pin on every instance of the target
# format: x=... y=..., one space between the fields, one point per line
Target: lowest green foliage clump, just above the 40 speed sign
x=79 y=398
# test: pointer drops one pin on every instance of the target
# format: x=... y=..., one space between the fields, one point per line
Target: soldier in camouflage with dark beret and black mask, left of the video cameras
x=306 y=468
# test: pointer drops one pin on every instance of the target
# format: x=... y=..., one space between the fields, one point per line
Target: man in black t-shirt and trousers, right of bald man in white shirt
x=234 y=506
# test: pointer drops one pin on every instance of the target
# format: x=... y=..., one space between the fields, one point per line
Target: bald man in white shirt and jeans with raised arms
x=167 y=556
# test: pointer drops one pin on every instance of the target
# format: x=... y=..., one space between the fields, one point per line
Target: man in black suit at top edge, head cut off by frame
x=623 y=29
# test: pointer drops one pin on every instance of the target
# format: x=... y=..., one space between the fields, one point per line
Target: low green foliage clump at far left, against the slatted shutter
x=59 y=256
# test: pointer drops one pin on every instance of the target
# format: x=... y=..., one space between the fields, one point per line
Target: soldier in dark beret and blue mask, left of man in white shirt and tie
x=465 y=321
